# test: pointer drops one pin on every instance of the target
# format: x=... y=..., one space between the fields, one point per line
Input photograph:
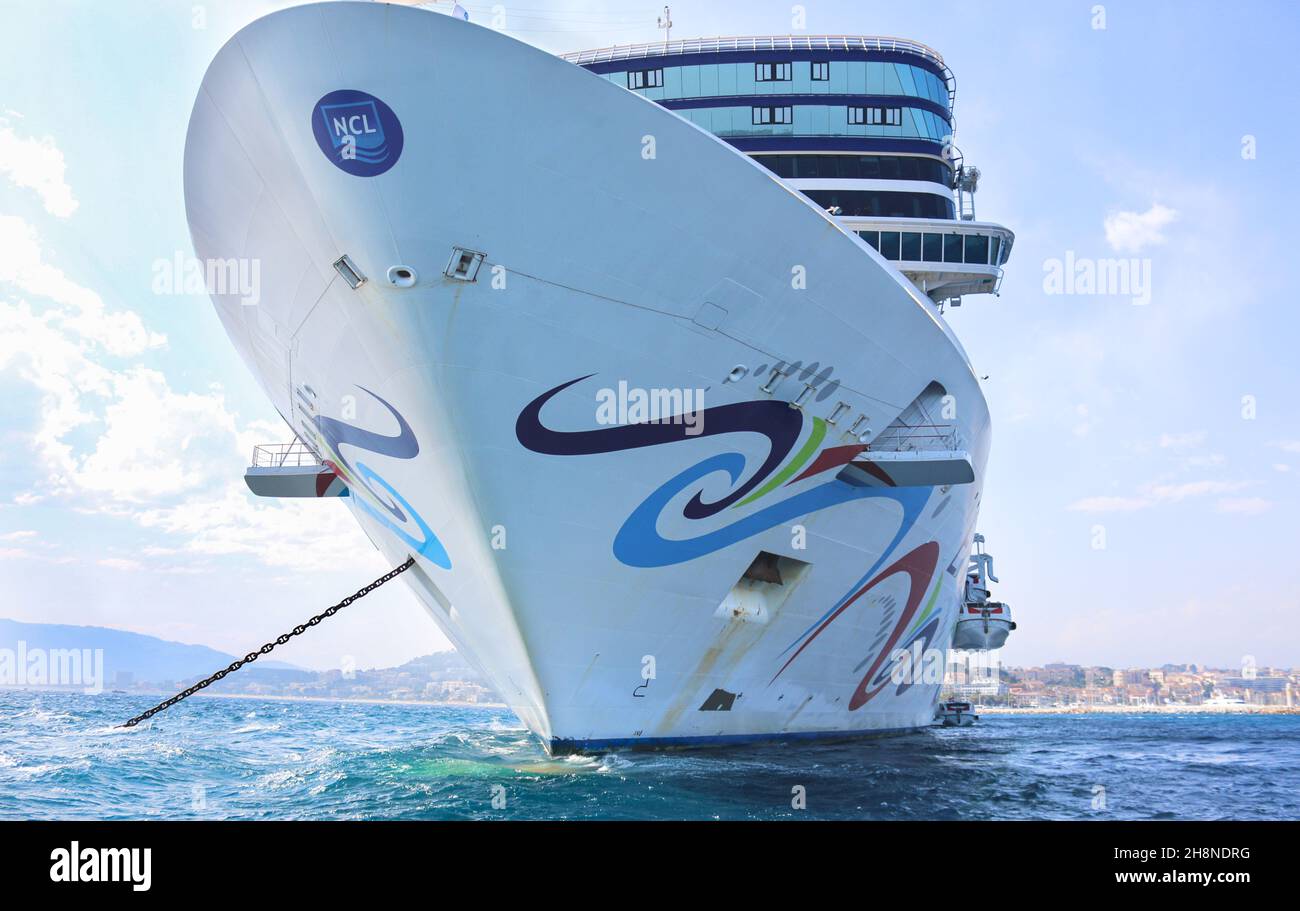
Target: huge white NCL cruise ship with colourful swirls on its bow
x=640 y=354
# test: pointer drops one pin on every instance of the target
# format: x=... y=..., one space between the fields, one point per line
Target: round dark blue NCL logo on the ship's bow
x=358 y=132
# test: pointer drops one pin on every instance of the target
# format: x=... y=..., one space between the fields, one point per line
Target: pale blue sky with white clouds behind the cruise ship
x=1143 y=481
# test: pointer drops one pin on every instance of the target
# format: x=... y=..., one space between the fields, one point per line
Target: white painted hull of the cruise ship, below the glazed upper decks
x=664 y=272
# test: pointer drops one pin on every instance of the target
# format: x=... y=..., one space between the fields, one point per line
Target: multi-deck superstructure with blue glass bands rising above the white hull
x=861 y=125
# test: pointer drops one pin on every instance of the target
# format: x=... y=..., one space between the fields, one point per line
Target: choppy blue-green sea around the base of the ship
x=62 y=757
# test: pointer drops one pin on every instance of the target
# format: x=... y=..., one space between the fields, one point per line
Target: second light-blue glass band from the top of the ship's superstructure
x=816 y=120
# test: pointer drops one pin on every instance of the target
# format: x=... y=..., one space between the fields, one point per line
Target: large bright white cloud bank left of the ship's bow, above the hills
x=119 y=441
